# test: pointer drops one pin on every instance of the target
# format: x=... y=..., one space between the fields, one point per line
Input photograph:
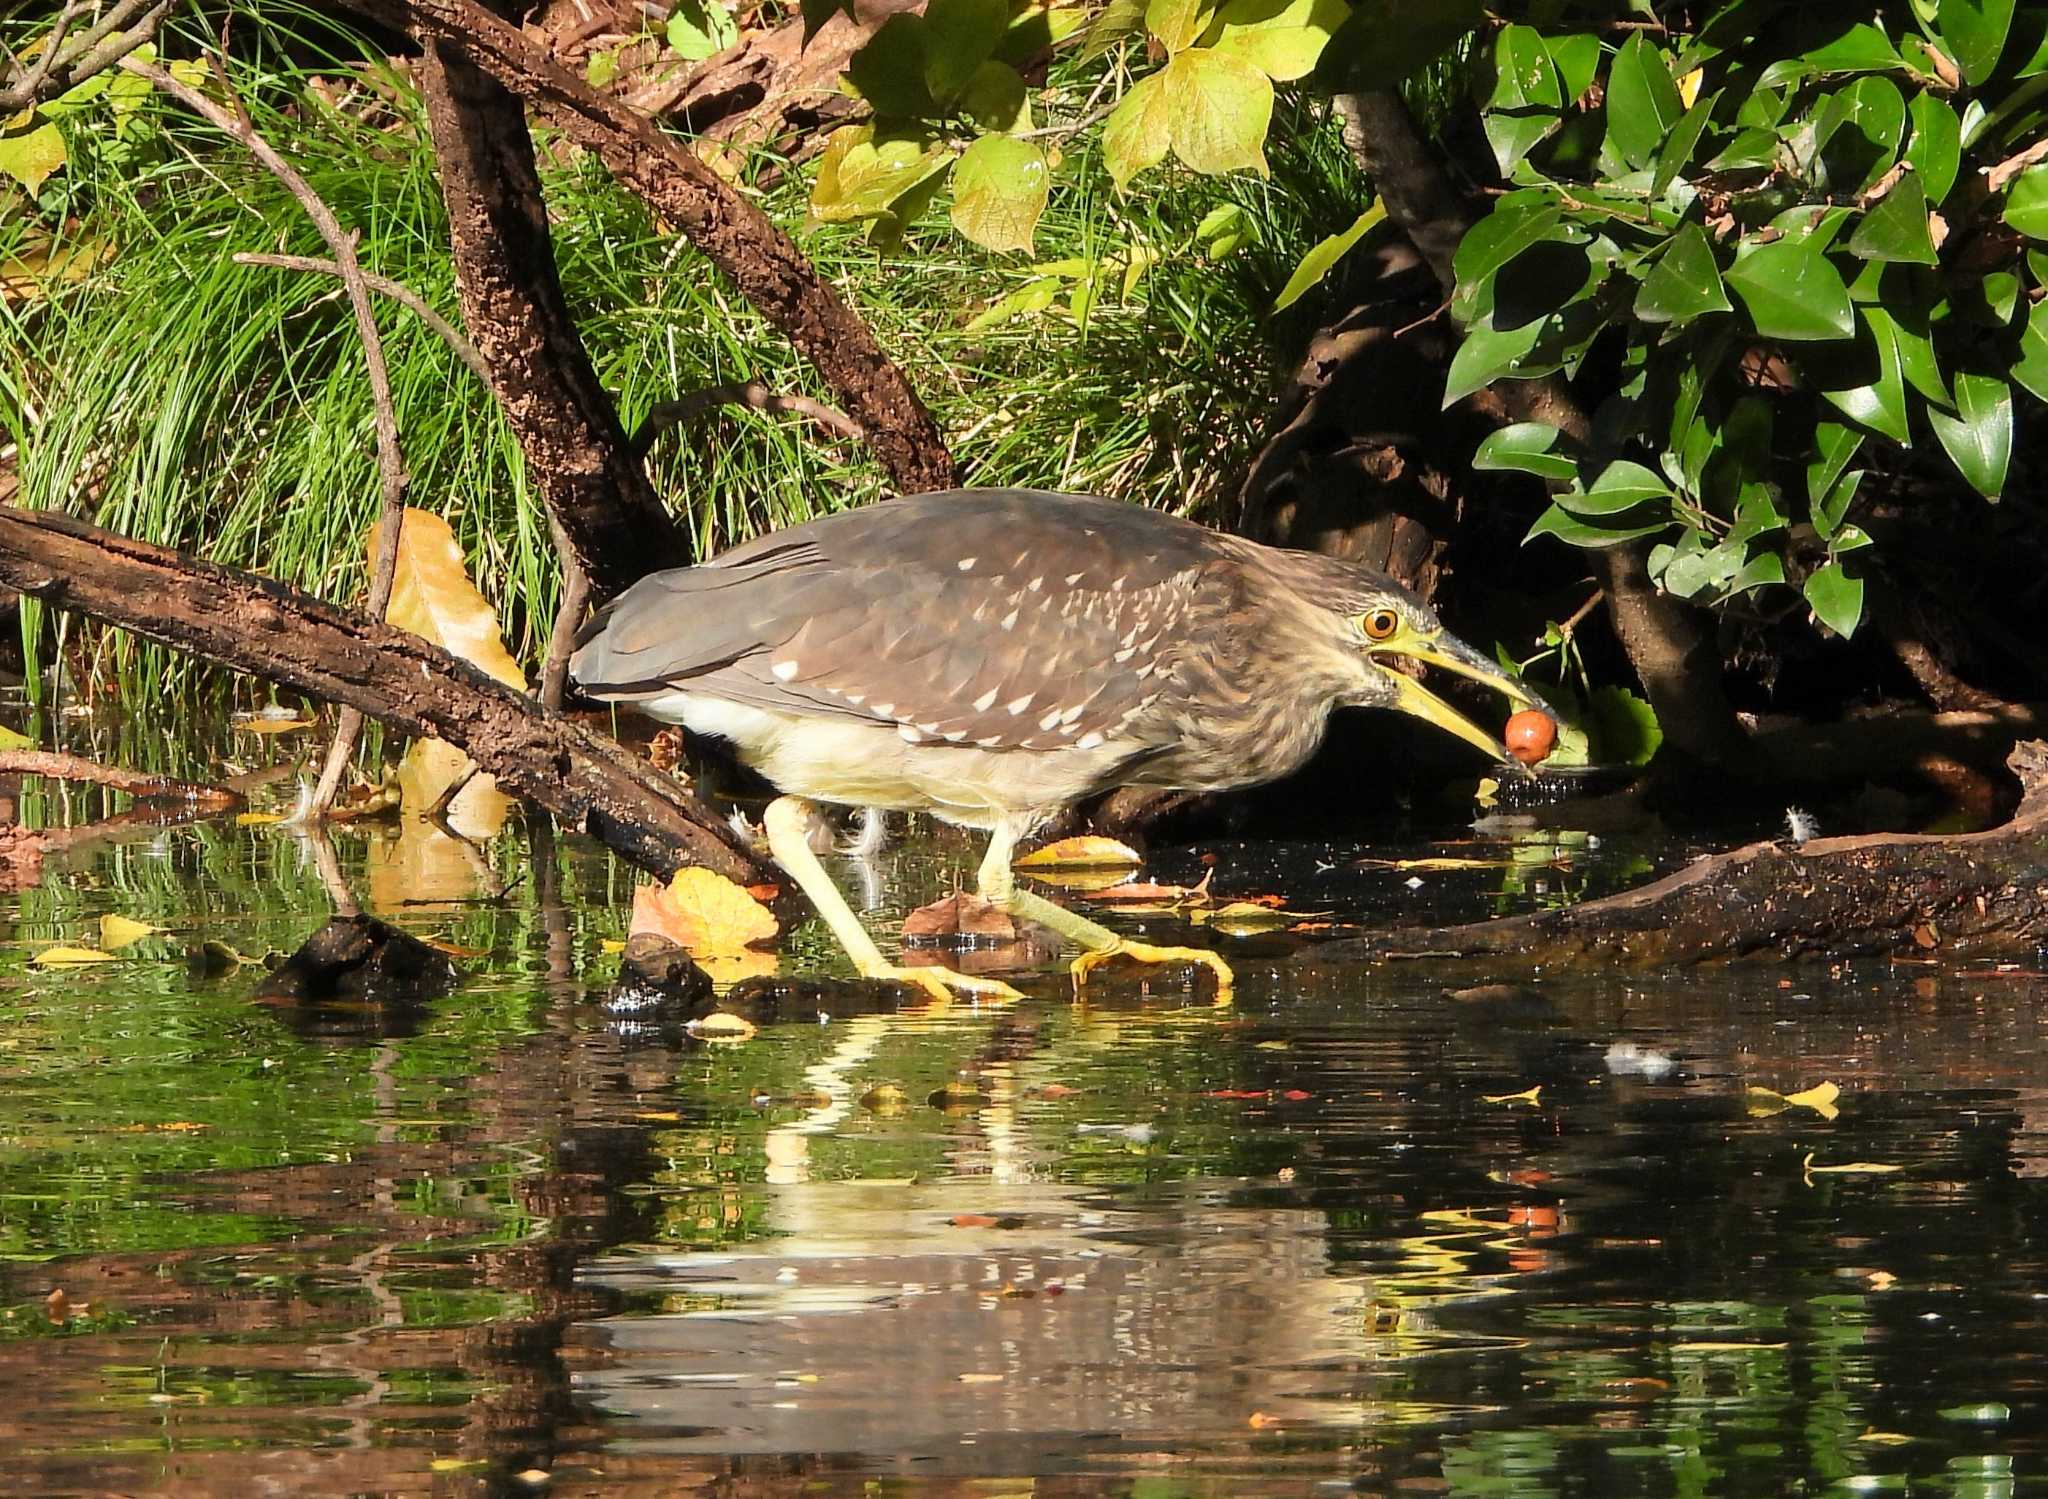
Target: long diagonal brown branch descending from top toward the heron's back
x=736 y=237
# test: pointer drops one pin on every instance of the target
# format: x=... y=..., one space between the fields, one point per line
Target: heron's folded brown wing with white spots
x=996 y=619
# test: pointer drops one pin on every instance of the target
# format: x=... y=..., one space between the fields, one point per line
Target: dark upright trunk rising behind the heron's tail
x=519 y=320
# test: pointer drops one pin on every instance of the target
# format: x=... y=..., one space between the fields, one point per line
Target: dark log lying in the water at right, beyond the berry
x=1963 y=896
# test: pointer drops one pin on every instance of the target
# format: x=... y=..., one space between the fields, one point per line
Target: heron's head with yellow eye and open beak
x=1381 y=626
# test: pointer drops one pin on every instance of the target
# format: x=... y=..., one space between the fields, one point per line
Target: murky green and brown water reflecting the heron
x=1144 y=1246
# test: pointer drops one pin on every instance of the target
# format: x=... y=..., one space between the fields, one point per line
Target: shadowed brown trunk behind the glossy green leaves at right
x=1668 y=644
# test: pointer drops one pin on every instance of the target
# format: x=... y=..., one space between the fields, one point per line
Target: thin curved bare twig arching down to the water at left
x=390 y=458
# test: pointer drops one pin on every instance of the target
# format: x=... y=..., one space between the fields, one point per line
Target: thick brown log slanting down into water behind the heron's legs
x=273 y=632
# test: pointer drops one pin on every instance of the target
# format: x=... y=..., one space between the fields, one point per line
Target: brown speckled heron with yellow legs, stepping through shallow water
x=992 y=656
